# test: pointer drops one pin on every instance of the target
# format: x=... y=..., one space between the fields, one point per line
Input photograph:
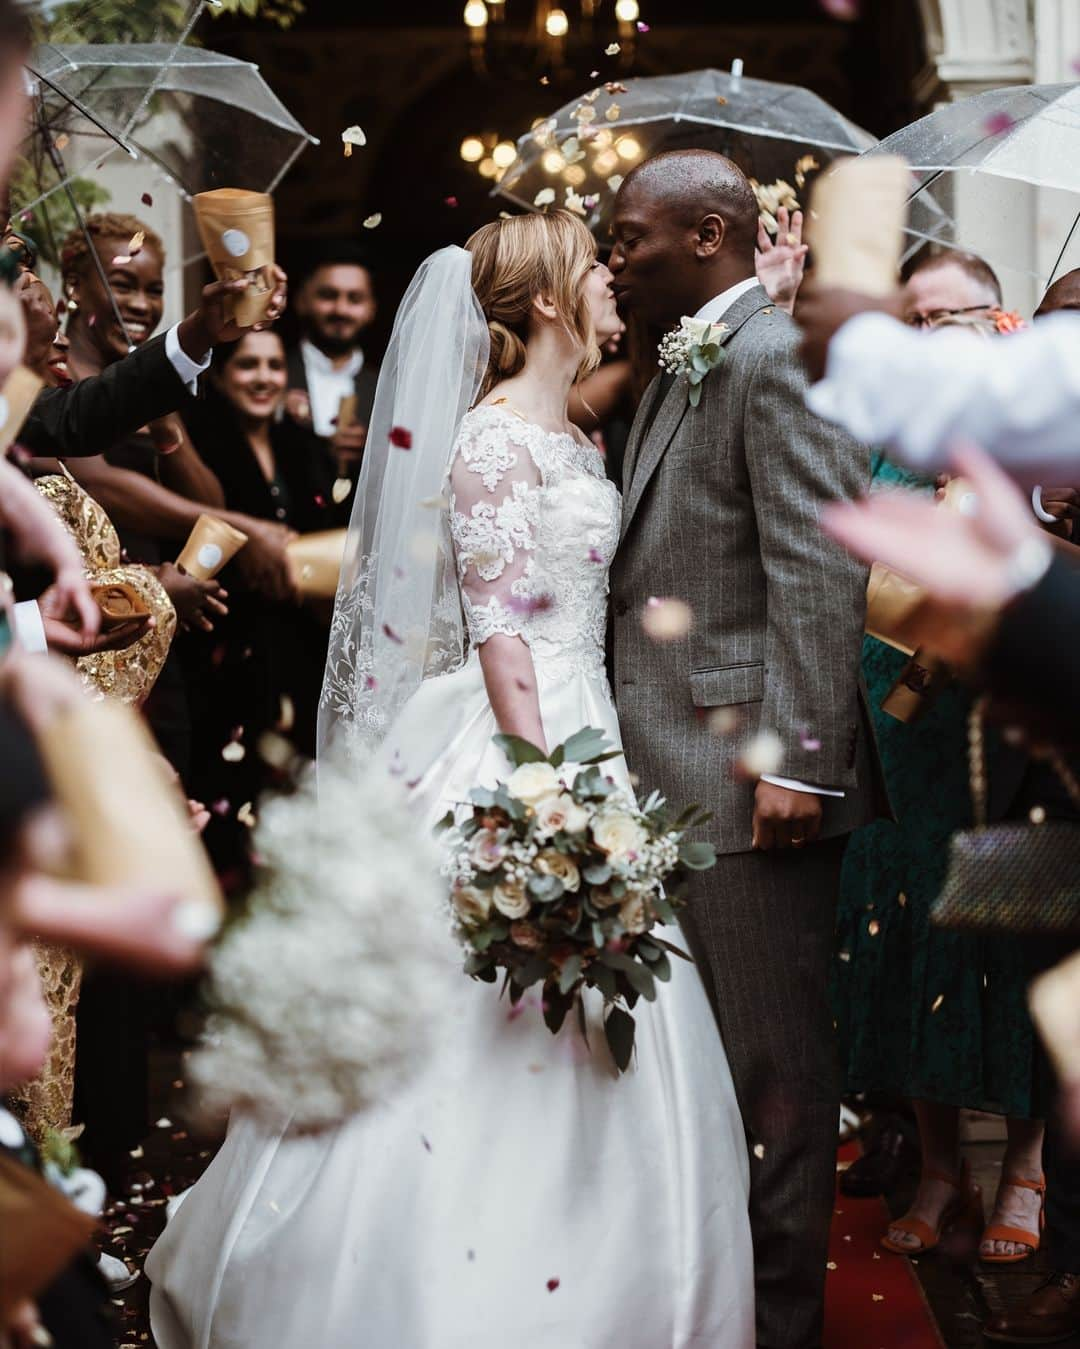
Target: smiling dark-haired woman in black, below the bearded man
x=266 y=655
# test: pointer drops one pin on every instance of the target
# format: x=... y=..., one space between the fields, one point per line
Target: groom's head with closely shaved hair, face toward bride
x=686 y=227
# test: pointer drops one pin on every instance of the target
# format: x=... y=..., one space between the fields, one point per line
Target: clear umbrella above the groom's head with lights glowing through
x=591 y=142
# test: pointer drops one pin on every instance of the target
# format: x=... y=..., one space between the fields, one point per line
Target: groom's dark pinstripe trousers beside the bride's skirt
x=762 y=930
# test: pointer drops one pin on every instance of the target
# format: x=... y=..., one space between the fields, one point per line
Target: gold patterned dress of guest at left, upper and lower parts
x=129 y=675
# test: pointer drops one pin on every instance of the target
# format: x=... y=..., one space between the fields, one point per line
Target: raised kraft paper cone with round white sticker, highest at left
x=237 y=229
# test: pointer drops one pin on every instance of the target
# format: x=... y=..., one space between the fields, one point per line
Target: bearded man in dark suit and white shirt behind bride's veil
x=334 y=306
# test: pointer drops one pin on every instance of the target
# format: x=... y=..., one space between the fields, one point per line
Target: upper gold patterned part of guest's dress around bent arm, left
x=131 y=674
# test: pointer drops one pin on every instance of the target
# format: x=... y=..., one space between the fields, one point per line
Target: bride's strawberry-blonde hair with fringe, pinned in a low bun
x=517 y=258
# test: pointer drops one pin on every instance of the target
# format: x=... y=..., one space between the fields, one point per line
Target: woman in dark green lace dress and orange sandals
x=932 y=1016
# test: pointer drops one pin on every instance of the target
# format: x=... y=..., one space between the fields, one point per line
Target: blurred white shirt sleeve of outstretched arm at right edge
x=920 y=393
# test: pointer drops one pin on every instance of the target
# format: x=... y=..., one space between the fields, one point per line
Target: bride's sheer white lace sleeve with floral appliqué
x=494 y=515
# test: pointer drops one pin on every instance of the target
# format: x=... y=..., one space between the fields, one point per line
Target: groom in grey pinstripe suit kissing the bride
x=721 y=508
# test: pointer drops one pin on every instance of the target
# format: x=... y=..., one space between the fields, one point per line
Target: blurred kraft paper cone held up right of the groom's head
x=856 y=226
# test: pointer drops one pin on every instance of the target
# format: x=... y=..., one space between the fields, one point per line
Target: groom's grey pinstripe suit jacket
x=721 y=508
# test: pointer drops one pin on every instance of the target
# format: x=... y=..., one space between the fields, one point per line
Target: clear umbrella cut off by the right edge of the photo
x=1011 y=144
